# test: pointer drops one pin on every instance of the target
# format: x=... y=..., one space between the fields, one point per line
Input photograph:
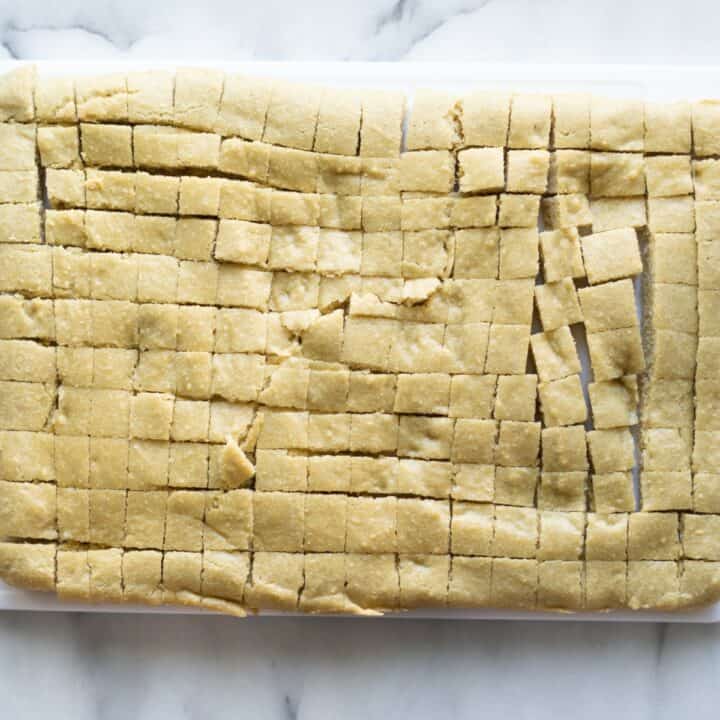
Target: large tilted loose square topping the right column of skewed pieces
x=611 y=255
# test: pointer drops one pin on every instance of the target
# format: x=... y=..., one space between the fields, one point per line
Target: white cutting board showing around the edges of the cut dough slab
x=649 y=82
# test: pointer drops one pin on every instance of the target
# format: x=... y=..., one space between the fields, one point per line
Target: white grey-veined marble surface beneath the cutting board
x=94 y=667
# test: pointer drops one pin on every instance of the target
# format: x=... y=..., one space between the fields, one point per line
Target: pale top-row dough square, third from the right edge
x=616 y=124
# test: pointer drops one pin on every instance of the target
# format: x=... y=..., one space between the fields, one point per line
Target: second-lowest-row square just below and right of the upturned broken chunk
x=278 y=521
